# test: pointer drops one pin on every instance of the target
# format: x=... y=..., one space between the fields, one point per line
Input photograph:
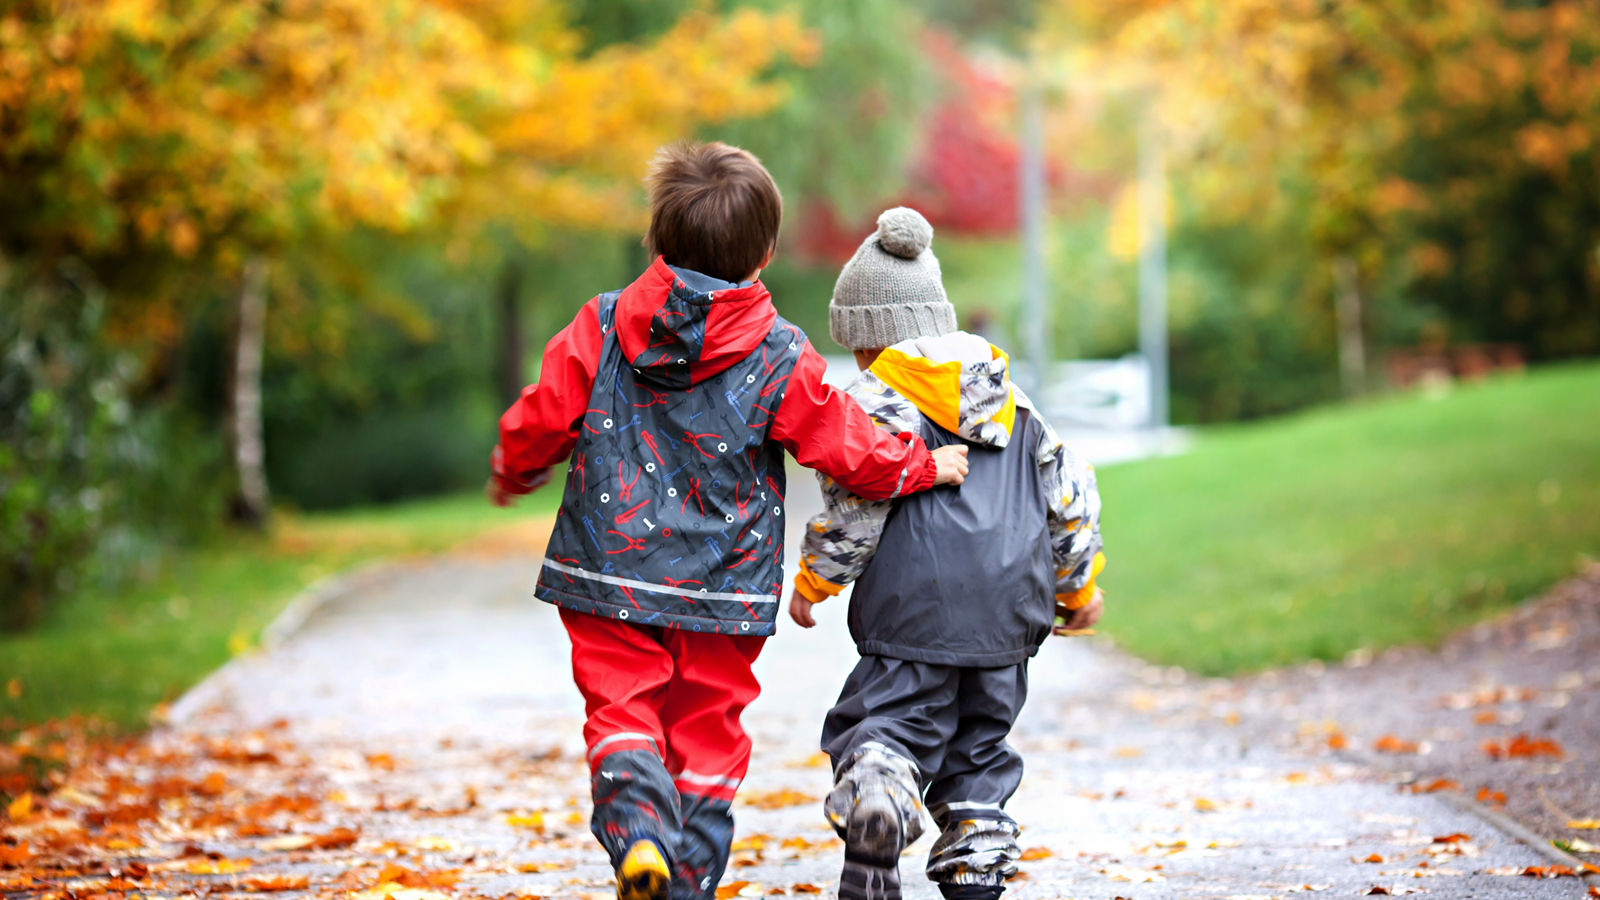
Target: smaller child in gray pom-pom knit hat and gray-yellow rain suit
x=956 y=590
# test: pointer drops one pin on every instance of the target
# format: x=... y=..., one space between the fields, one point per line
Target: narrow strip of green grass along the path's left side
x=118 y=656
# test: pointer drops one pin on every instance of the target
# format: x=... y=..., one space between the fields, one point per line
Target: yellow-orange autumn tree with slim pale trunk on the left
x=172 y=147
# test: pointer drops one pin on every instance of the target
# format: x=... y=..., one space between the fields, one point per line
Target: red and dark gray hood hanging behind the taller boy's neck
x=678 y=335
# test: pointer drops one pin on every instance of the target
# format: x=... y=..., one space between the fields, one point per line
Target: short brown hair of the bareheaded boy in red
x=713 y=209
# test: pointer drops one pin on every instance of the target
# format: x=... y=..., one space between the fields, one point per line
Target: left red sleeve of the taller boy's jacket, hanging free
x=542 y=427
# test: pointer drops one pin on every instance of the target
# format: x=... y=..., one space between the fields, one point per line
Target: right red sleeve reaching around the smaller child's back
x=826 y=432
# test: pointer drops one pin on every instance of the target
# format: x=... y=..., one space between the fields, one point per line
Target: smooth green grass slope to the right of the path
x=1364 y=526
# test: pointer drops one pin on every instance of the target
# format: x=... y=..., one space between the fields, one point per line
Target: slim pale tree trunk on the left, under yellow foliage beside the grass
x=254 y=504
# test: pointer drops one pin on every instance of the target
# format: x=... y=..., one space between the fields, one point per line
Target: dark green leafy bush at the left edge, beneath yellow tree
x=89 y=481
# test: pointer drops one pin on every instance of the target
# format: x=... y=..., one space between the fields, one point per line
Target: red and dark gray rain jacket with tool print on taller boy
x=674 y=401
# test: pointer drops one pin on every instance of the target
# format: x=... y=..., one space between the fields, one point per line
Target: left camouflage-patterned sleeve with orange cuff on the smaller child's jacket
x=841 y=542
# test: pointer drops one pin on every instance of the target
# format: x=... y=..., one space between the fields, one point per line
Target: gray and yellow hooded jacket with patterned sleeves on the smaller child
x=972 y=576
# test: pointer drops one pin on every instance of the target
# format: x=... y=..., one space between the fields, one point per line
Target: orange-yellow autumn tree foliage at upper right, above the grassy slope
x=1431 y=148
